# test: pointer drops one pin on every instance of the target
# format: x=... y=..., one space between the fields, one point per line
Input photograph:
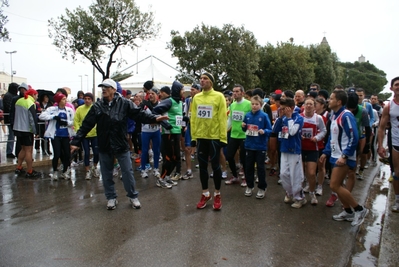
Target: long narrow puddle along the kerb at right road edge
x=368 y=238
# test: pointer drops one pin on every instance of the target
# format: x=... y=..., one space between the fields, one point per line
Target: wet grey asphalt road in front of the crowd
x=66 y=223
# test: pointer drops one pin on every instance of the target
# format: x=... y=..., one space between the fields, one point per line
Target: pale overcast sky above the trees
x=352 y=28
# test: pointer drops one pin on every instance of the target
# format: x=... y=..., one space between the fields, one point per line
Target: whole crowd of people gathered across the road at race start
x=245 y=136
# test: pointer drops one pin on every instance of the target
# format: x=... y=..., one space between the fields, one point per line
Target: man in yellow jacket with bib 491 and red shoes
x=209 y=133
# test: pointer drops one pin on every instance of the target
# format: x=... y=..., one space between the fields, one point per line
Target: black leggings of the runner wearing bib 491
x=209 y=150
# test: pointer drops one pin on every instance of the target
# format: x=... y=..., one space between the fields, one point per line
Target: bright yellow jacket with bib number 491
x=208 y=116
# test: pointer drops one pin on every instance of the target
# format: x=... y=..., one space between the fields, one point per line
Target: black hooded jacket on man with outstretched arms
x=111 y=119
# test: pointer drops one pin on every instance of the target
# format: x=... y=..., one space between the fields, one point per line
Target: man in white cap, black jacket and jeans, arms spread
x=111 y=114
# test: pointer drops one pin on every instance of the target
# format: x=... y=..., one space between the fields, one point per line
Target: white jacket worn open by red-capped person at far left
x=48 y=115
